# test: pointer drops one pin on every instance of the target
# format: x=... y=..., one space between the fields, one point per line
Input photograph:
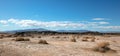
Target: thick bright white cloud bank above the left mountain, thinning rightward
x=29 y=23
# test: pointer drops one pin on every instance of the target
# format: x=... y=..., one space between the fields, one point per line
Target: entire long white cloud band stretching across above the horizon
x=56 y=24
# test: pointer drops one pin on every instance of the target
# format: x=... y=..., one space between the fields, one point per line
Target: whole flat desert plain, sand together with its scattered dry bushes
x=61 y=45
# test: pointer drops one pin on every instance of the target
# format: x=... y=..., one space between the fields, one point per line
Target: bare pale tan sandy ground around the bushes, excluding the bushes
x=56 y=47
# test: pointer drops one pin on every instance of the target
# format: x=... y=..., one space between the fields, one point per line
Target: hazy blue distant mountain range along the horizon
x=42 y=29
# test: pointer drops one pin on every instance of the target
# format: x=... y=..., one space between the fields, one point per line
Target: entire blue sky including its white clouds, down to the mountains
x=97 y=15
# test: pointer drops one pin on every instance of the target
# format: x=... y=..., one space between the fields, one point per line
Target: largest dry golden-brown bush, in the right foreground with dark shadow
x=103 y=47
